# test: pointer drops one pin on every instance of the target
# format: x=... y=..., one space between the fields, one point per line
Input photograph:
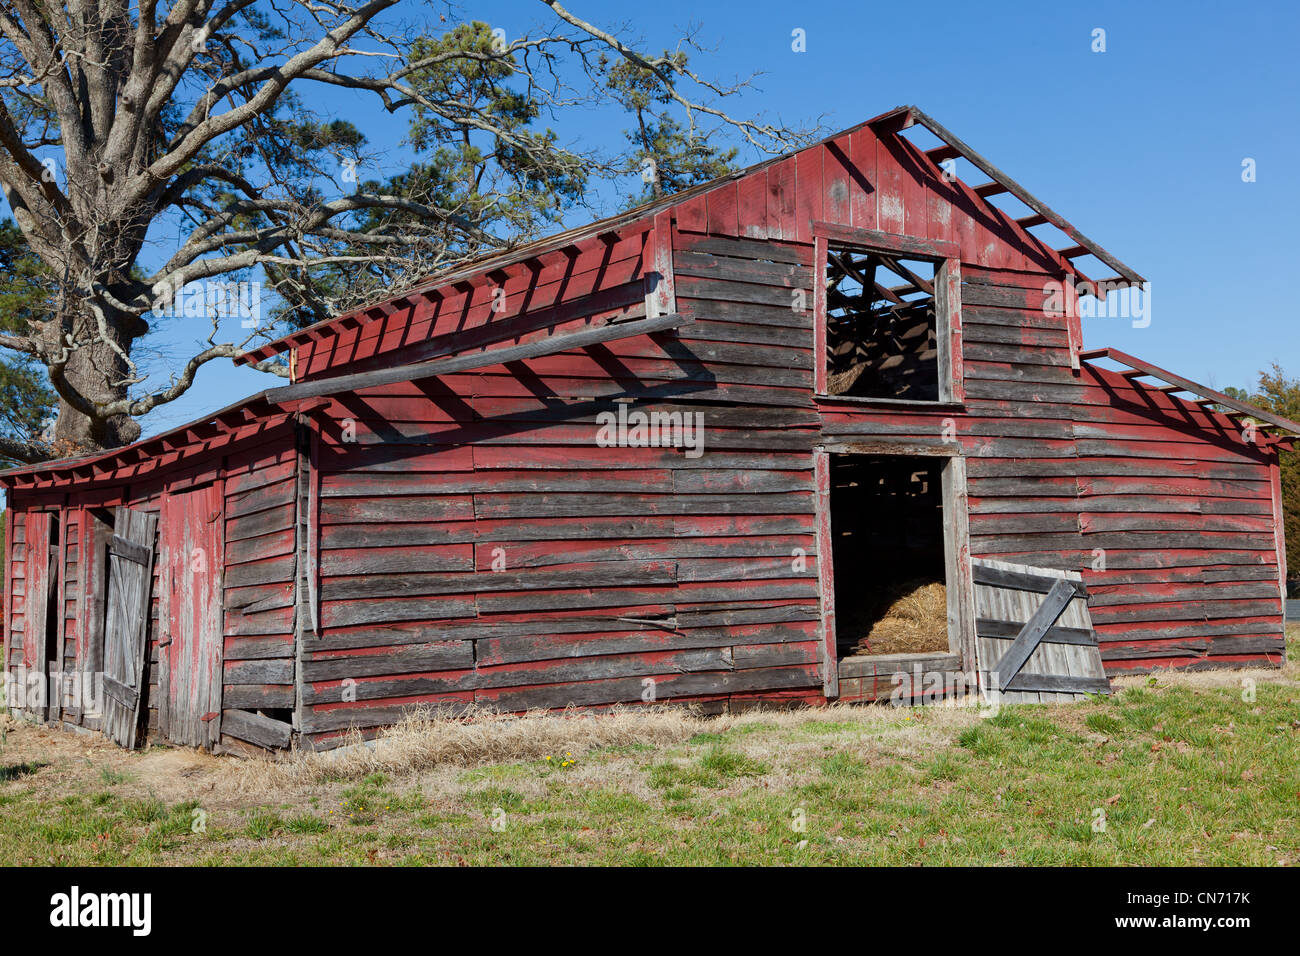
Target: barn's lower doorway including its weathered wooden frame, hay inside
x=899 y=591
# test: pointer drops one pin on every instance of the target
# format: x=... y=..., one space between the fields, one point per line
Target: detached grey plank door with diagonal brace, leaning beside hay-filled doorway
x=1035 y=642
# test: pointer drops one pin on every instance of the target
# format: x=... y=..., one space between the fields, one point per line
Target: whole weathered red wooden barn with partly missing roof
x=683 y=455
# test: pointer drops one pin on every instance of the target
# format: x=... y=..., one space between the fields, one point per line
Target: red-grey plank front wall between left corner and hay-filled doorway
x=534 y=569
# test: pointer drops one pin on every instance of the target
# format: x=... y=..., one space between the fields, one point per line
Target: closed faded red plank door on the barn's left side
x=190 y=655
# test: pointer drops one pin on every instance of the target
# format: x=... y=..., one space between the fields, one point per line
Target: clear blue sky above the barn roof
x=1139 y=146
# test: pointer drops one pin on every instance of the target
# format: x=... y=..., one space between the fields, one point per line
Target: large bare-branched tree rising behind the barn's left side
x=148 y=149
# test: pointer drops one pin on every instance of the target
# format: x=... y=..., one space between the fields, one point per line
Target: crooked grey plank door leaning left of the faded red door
x=131 y=573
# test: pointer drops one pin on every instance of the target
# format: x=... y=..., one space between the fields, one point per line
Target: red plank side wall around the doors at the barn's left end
x=258 y=577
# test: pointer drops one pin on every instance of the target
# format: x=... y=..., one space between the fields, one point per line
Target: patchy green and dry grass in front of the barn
x=1184 y=769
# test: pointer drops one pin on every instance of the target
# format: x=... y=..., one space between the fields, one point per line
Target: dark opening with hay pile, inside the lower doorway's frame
x=887 y=527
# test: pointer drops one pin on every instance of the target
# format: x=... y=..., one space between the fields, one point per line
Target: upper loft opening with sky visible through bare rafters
x=881 y=325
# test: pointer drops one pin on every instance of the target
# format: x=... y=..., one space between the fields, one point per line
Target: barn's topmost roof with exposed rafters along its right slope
x=891 y=124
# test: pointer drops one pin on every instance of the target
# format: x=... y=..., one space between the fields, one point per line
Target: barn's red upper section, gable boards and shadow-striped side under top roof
x=870 y=178
